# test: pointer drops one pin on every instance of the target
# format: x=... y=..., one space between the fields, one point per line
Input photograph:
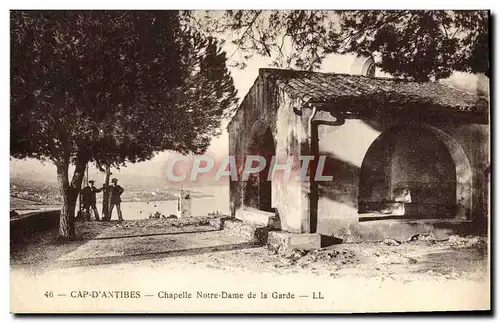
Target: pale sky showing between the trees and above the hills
x=243 y=80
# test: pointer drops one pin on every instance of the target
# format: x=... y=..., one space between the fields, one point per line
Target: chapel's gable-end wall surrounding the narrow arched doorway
x=266 y=107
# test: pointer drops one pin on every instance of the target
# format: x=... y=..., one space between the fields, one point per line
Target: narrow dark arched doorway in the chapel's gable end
x=258 y=190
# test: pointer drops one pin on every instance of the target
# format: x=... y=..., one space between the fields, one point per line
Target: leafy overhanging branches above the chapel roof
x=414 y=44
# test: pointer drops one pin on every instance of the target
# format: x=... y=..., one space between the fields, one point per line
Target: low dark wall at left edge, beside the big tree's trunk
x=28 y=225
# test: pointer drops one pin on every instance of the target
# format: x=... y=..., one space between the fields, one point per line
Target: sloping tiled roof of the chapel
x=356 y=91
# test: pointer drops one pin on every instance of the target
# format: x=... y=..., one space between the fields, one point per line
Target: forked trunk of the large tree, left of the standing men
x=69 y=194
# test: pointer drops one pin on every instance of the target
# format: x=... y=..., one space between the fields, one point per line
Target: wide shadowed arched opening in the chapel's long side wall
x=415 y=171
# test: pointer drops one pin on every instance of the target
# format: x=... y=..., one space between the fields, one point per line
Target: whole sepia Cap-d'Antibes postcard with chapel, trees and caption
x=249 y=161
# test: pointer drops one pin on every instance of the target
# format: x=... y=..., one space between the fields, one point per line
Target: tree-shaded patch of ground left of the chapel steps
x=100 y=243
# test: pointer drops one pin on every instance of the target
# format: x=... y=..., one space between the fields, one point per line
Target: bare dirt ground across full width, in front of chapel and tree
x=115 y=242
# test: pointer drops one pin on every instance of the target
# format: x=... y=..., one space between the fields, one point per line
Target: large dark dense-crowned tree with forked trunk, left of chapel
x=111 y=87
